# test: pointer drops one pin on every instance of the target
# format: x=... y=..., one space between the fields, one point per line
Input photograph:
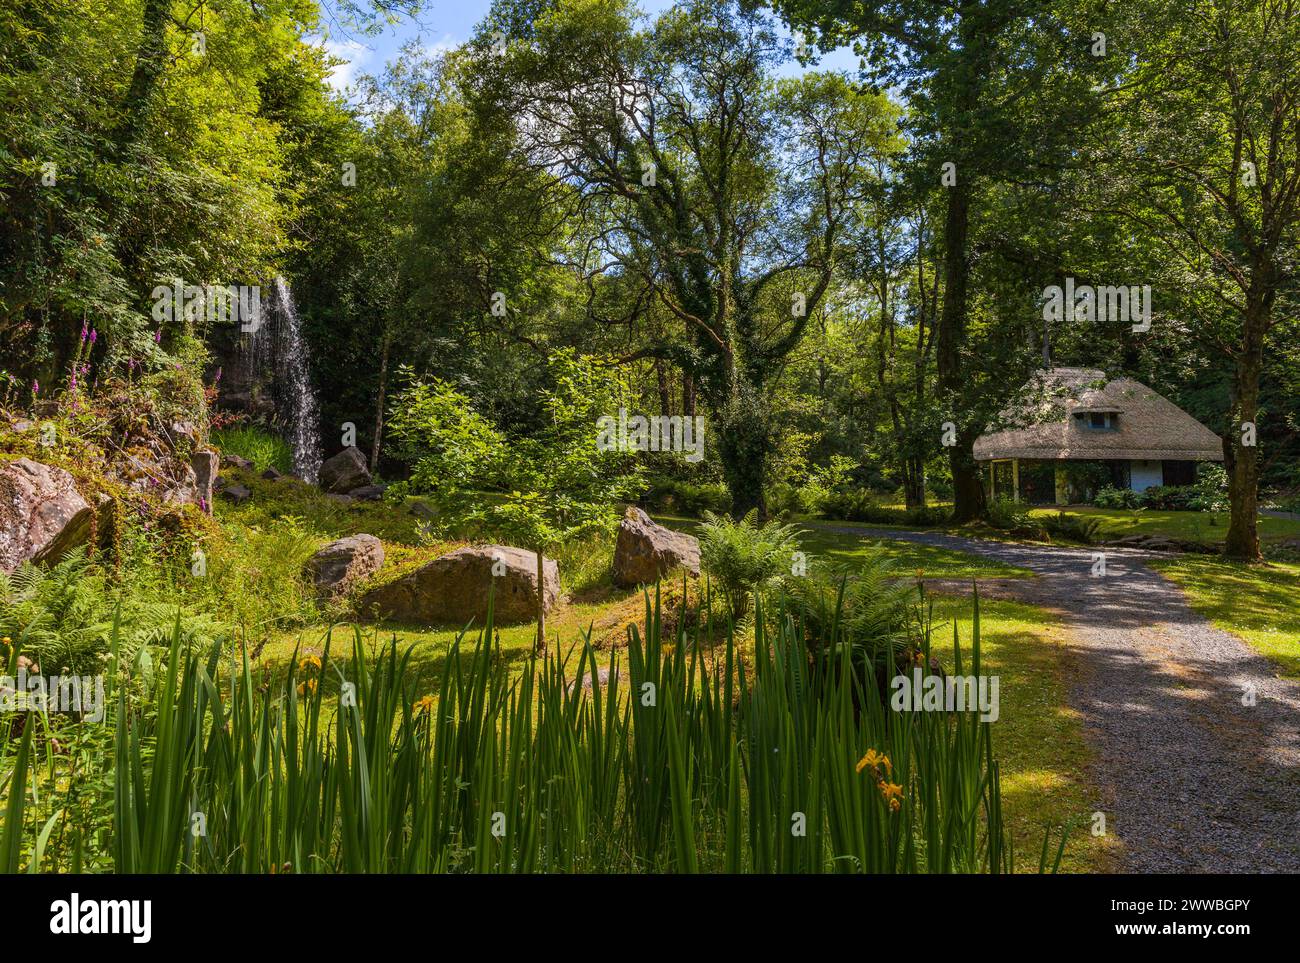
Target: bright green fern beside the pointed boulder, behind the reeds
x=744 y=557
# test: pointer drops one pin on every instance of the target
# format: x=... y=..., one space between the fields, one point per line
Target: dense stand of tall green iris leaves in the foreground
x=695 y=757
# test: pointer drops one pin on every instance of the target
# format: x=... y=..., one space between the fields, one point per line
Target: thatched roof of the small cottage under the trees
x=1150 y=427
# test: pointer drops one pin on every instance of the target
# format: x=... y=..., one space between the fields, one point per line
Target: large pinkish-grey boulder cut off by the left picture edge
x=42 y=515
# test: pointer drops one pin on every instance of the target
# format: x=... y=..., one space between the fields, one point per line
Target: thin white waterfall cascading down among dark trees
x=280 y=350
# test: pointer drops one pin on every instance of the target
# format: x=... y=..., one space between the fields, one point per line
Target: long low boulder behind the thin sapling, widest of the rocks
x=454 y=588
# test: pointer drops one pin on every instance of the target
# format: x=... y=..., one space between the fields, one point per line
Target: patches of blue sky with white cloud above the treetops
x=450 y=23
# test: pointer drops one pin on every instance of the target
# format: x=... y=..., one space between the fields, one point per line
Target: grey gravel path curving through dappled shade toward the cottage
x=1194 y=780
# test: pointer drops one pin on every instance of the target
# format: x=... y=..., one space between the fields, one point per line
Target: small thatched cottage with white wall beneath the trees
x=1089 y=432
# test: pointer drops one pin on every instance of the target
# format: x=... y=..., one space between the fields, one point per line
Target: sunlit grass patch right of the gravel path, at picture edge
x=1259 y=604
